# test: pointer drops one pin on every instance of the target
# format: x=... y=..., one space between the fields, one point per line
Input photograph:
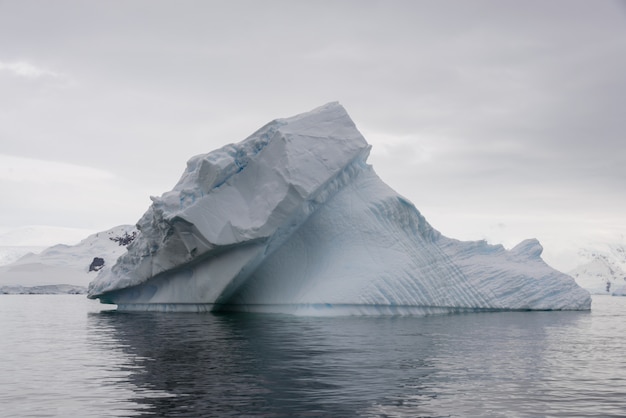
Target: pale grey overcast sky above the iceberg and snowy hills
x=500 y=120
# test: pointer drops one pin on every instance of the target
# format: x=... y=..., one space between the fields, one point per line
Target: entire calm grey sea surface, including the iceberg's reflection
x=67 y=356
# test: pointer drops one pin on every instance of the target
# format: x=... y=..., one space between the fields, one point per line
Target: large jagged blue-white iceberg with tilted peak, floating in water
x=293 y=219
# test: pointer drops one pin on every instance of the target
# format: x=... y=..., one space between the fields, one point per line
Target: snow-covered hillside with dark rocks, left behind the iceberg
x=61 y=268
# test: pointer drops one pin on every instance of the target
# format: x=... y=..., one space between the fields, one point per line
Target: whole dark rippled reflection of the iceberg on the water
x=269 y=365
